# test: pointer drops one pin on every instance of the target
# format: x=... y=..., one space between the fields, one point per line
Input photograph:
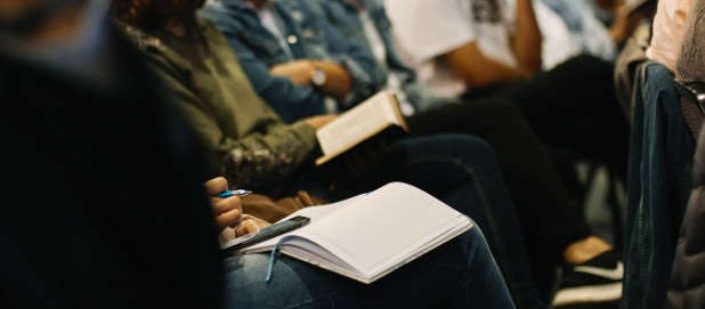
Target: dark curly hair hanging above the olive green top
x=155 y=14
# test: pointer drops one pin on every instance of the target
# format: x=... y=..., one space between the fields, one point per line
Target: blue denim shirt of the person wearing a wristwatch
x=308 y=37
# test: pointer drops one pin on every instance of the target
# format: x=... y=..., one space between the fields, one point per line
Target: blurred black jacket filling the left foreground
x=102 y=199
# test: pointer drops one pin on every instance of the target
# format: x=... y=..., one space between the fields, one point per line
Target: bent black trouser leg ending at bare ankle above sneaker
x=548 y=216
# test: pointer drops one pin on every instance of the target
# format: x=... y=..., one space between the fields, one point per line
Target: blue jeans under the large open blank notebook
x=459 y=274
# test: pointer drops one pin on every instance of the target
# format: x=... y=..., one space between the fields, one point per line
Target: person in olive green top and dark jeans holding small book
x=257 y=150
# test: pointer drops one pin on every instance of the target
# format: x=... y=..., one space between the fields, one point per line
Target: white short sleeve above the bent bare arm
x=425 y=29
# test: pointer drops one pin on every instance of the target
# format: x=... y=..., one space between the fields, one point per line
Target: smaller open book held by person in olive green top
x=361 y=123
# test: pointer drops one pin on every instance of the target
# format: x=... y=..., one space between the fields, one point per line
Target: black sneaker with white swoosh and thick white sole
x=596 y=283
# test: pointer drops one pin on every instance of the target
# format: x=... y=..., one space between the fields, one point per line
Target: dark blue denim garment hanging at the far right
x=661 y=149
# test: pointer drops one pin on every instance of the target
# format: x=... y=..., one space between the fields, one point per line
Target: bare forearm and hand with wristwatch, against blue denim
x=301 y=72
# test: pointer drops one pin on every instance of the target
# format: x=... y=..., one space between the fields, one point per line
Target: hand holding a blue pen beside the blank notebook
x=228 y=211
